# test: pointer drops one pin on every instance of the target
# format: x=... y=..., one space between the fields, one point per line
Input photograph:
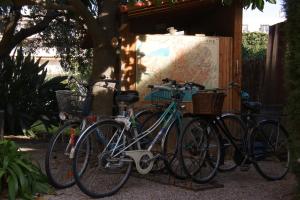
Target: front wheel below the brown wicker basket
x=200 y=150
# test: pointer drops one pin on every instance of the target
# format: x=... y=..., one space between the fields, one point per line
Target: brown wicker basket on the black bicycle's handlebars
x=208 y=102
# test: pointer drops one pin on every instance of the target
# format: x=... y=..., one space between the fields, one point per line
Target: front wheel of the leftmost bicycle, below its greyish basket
x=58 y=163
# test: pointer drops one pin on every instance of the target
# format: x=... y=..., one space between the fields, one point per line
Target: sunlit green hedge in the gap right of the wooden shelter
x=254 y=46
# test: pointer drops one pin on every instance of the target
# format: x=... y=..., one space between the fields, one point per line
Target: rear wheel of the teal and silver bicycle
x=103 y=175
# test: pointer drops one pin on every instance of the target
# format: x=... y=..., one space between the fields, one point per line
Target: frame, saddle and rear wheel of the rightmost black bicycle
x=246 y=140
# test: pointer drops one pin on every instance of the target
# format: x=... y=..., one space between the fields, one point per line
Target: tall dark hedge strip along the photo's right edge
x=292 y=8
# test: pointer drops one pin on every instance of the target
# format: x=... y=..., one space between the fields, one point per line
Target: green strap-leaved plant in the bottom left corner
x=17 y=174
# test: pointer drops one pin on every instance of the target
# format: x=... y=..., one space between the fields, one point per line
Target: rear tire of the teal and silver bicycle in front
x=101 y=188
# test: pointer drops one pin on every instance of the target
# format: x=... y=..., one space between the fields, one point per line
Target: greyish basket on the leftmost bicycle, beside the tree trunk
x=70 y=102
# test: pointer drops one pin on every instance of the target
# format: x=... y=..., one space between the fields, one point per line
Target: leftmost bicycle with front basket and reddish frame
x=75 y=113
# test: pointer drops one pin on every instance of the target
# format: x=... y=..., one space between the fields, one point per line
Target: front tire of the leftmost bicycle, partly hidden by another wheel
x=56 y=179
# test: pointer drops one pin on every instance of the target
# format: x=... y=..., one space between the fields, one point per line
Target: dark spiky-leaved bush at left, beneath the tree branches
x=26 y=96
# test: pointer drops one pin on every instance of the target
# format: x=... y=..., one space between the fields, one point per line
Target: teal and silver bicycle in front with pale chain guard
x=111 y=162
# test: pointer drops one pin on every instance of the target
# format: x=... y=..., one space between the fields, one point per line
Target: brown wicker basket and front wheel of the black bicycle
x=200 y=143
